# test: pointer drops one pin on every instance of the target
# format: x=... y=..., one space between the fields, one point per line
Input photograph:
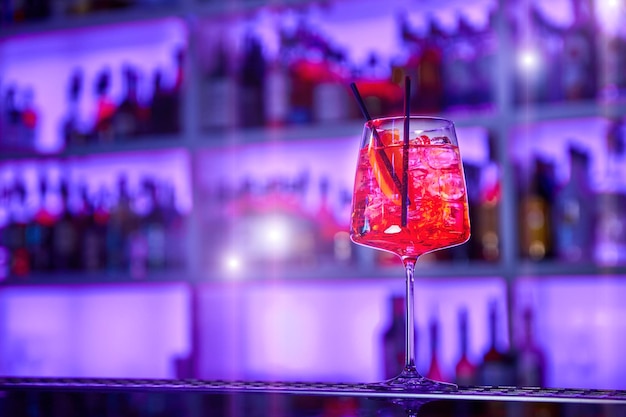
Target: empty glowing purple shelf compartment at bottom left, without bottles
x=131 y=330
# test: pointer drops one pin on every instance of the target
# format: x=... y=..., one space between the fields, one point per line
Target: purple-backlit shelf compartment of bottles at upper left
x=113 y=86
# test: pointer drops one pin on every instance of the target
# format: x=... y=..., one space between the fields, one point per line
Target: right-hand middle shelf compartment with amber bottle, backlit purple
x=570 y=191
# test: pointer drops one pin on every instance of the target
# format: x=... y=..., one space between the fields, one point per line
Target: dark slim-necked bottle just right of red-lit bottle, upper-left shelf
x=127 y=119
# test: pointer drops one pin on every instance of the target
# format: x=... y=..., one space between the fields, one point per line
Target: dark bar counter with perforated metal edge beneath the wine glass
x=163 y=397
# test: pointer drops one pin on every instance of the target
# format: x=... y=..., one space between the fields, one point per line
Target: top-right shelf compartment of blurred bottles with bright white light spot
x=570 y=51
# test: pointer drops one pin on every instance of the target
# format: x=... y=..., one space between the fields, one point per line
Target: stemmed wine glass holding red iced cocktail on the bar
x=409 y=199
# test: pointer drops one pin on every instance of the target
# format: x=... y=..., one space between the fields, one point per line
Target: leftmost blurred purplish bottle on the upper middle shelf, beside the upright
x=219 y=91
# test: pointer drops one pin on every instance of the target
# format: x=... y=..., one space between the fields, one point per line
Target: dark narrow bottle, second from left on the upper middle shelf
x=251 y=90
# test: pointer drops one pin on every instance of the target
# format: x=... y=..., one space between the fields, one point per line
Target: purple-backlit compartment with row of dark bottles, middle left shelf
x=103 y=217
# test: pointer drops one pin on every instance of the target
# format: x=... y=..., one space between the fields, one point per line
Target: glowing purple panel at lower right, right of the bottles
x=579 y=324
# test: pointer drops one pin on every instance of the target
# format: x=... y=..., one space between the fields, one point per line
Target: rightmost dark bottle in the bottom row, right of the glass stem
x=531 y=362
